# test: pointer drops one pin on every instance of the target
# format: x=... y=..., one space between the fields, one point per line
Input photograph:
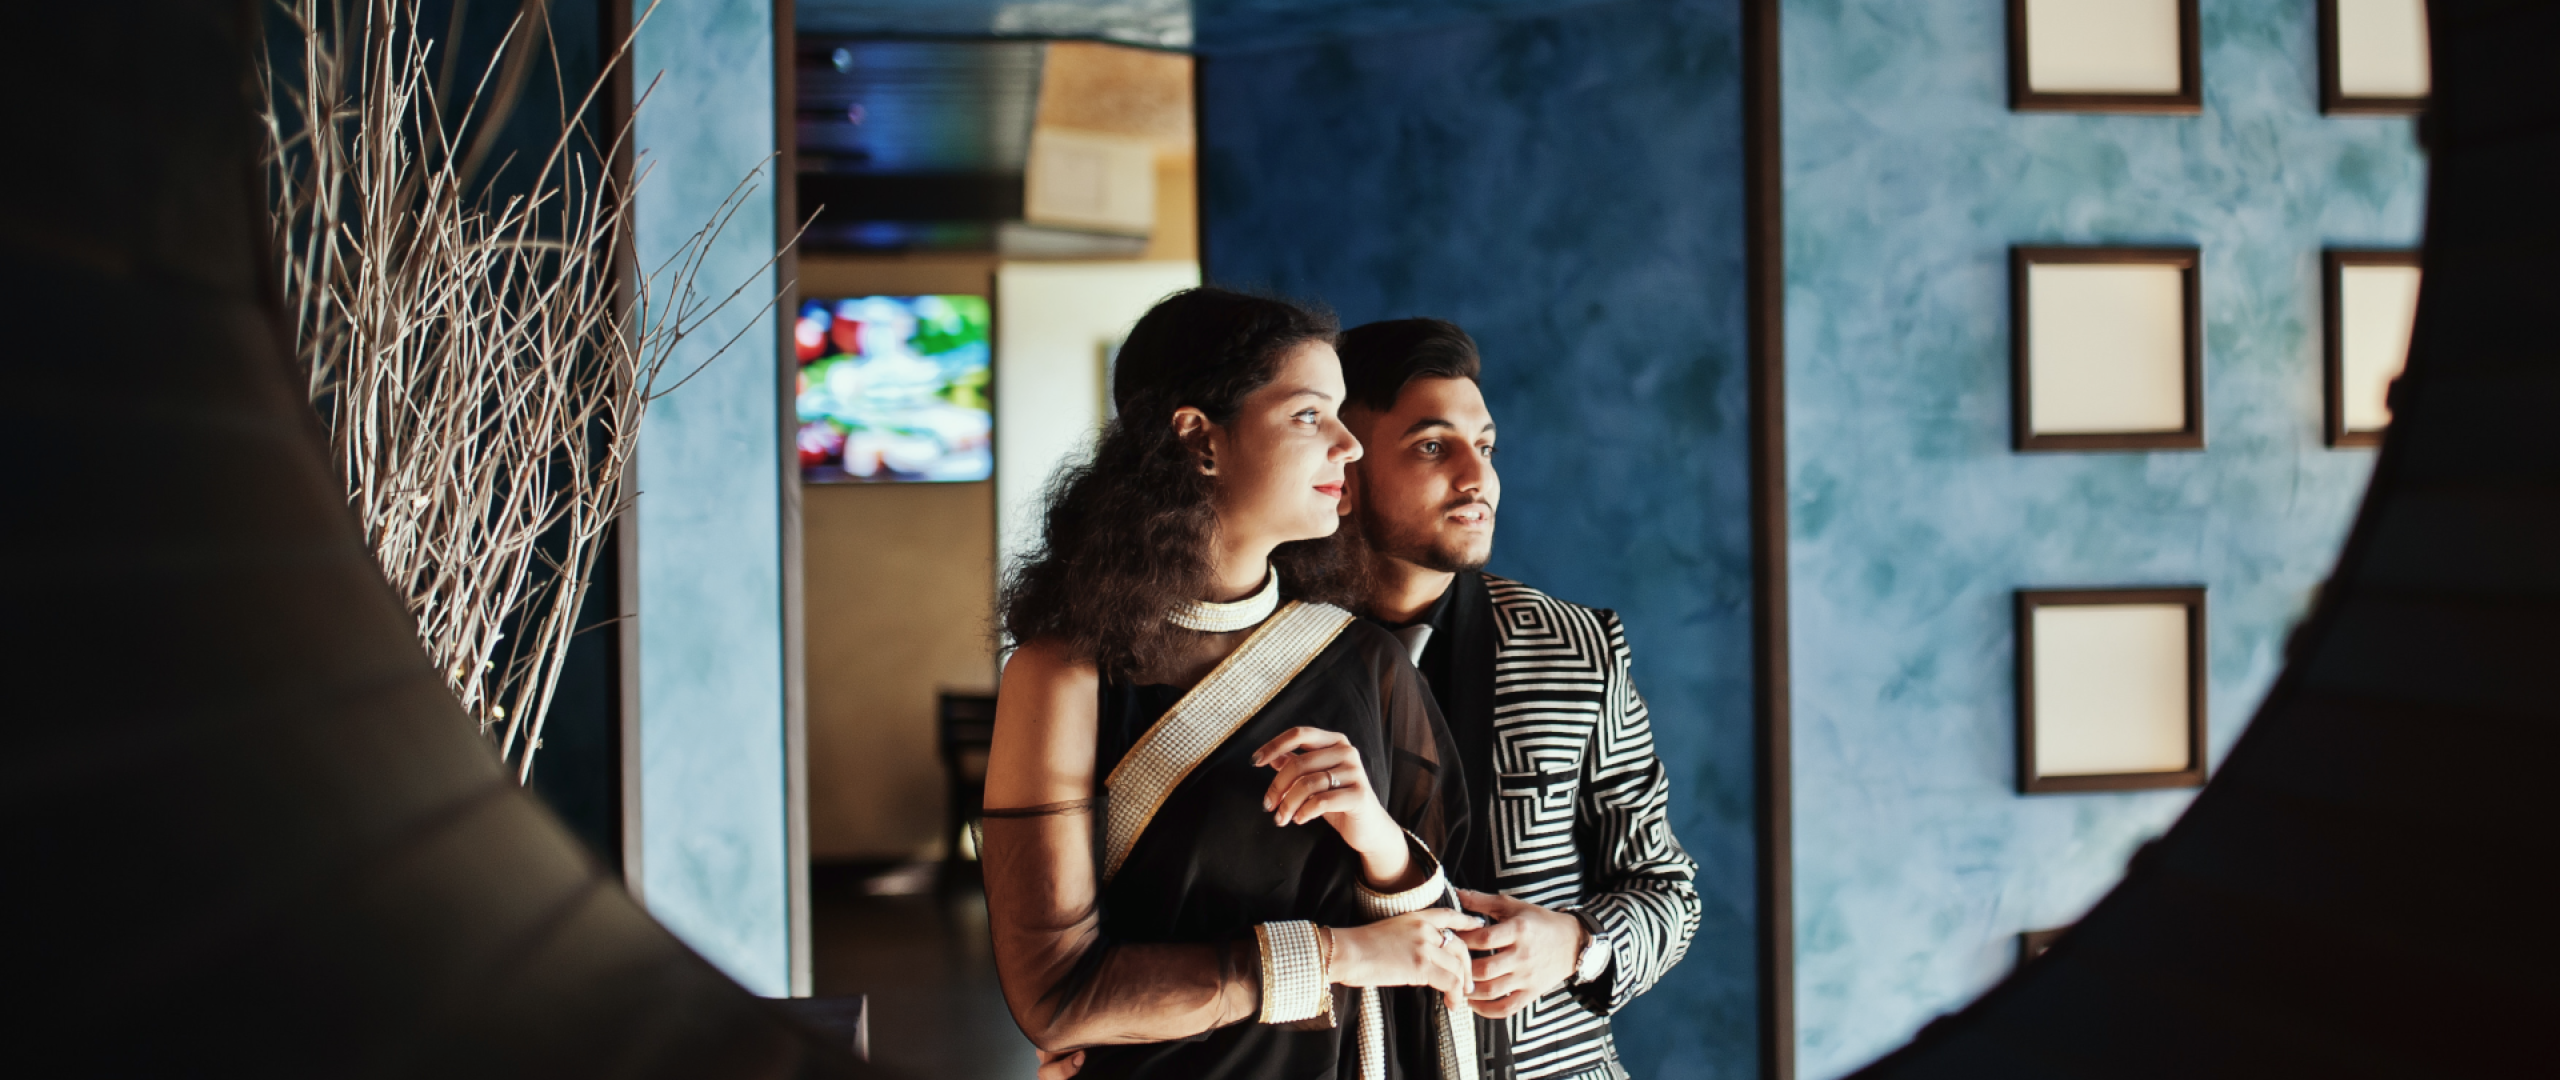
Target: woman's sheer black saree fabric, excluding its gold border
x=1153 y=966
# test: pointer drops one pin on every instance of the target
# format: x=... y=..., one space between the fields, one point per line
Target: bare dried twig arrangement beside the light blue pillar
x=483 y=362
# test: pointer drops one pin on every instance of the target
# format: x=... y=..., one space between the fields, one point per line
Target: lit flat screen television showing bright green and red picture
x=895 y=390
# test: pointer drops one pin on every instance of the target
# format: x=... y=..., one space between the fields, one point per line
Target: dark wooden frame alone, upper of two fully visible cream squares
x=2024 y=431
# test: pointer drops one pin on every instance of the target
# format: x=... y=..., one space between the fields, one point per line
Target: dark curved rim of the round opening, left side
x=352 y=884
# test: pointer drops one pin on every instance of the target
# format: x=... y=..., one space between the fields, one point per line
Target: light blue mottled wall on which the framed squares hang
x=1911 y=521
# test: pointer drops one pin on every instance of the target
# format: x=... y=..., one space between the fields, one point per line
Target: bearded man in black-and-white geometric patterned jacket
x=1571 y=854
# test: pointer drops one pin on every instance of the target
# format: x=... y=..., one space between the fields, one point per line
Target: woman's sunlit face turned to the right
x=1281 y=462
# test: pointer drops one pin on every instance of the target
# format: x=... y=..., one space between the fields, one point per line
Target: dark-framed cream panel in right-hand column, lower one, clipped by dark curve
x=2369 y=306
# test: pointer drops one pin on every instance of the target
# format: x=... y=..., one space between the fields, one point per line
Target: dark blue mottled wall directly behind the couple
x=1568 y=191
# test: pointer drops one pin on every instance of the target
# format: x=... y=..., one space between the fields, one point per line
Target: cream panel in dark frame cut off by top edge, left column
x=2106 y=58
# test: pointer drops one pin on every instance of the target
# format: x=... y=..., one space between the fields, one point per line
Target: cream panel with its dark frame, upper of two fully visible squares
x=2106 y=349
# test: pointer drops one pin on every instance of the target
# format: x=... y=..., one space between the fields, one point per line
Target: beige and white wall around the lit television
x=902 y=577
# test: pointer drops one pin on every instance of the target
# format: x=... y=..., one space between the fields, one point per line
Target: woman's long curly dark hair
x=1125 y=536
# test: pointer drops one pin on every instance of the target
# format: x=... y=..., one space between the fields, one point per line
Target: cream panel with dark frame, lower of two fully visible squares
x=2111 y=690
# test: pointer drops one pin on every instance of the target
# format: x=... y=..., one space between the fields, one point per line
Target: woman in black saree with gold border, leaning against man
x=1210 y=815
